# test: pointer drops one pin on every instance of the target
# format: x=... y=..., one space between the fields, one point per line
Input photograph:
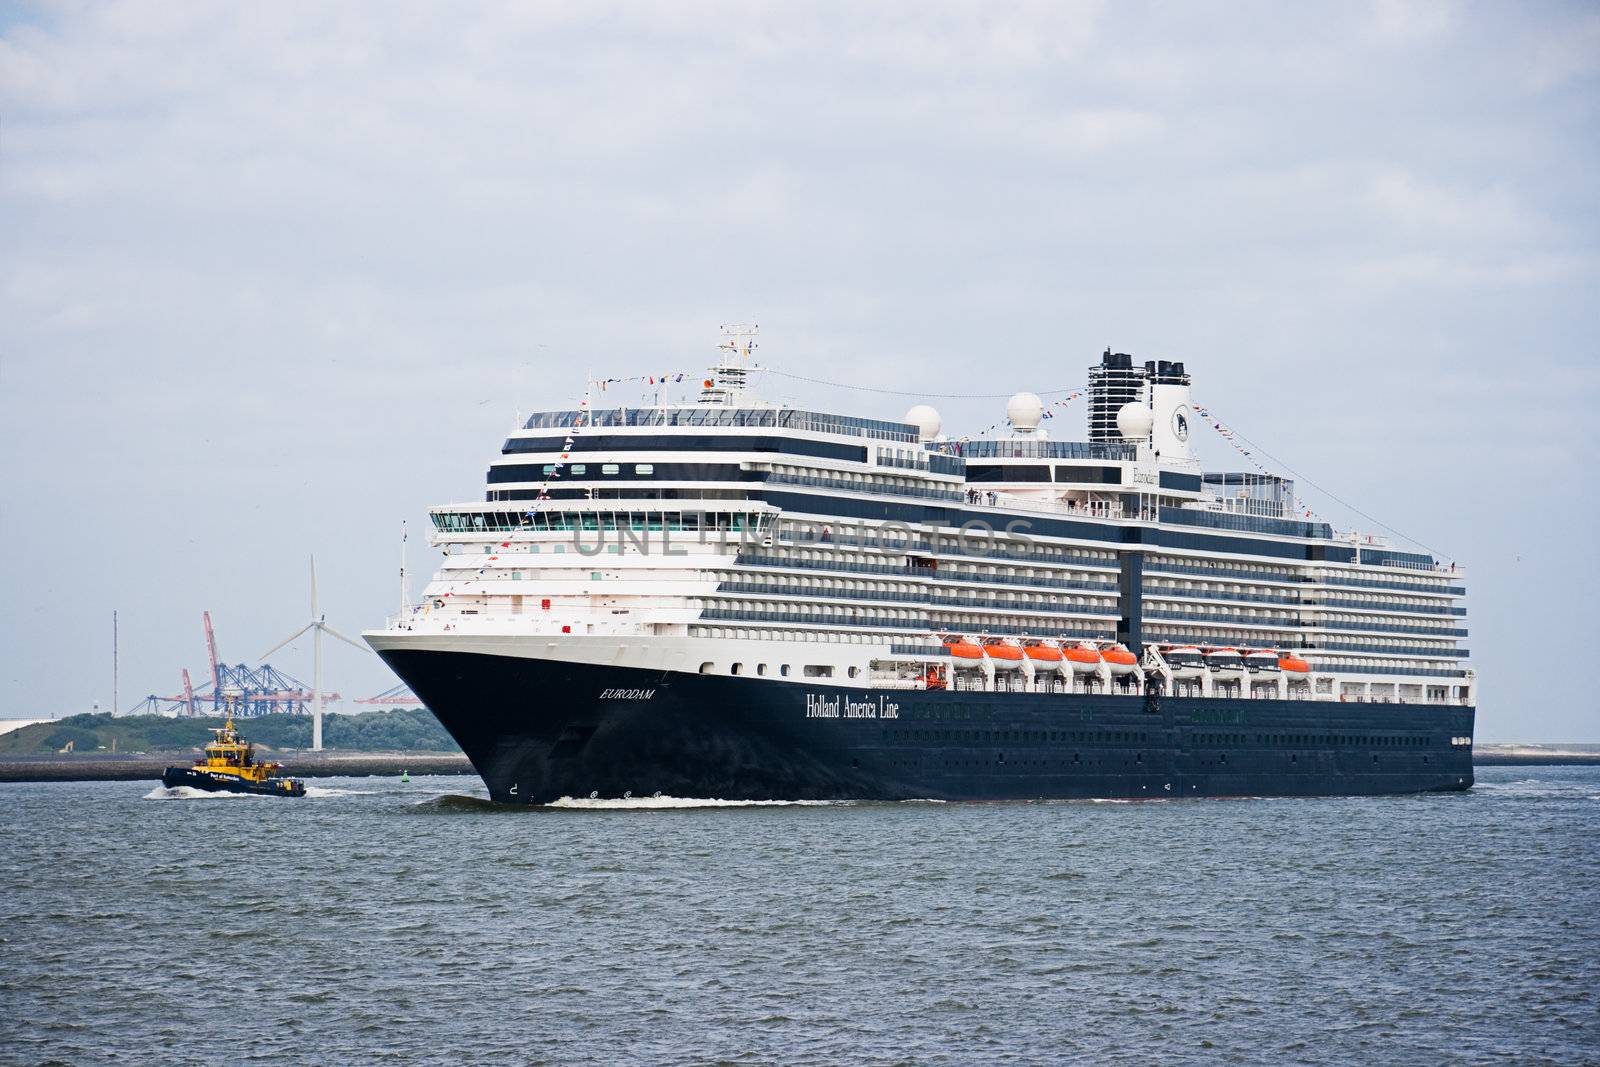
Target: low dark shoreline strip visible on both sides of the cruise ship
x=105 y=767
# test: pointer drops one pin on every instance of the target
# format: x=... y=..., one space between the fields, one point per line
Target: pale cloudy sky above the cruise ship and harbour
x=278 y=278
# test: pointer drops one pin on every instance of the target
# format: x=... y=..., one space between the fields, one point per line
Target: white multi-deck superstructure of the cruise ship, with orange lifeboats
x=737 y=538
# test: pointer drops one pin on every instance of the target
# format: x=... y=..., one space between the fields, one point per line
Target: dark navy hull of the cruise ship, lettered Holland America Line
x=542 y=730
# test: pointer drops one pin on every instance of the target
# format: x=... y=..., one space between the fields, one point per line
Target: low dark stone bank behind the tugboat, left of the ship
x=110 y=767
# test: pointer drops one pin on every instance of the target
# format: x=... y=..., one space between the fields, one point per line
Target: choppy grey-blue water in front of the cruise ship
x=377 y=922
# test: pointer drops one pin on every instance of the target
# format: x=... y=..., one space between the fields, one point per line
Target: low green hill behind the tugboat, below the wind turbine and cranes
x=394 y=730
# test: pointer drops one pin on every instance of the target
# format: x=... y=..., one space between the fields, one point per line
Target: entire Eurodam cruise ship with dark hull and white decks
x=746 y=601
